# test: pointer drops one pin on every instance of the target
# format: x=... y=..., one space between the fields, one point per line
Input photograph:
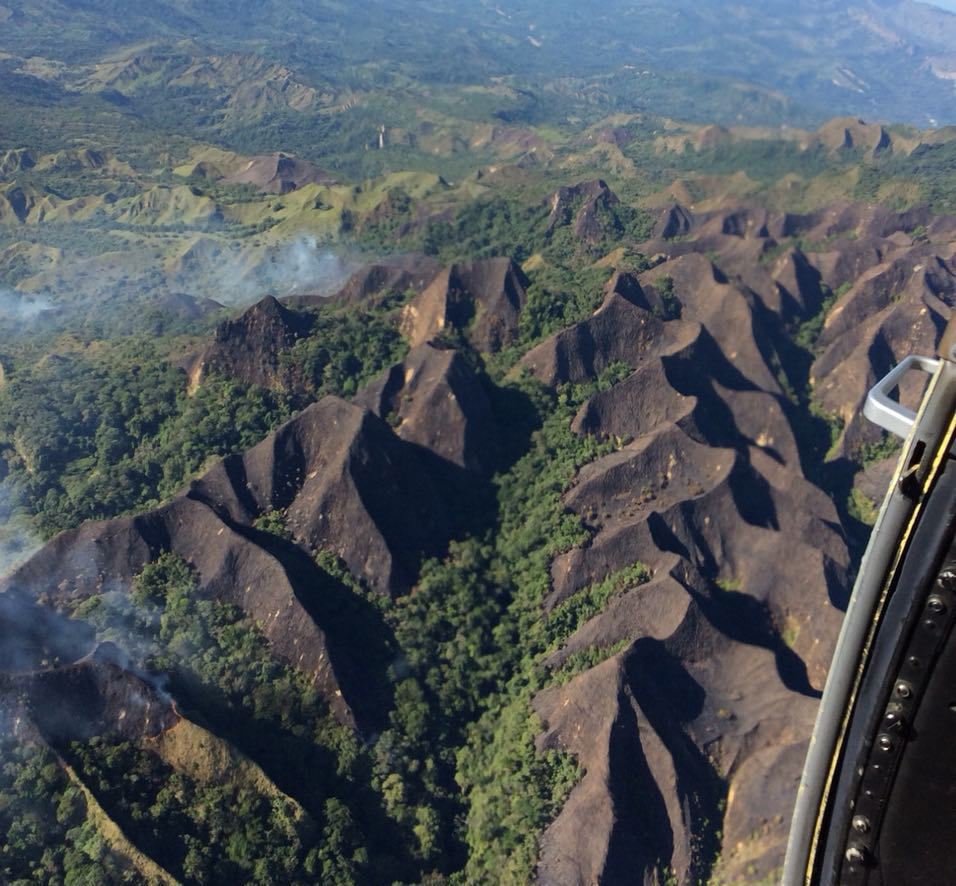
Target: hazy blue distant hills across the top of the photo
x=891 y=60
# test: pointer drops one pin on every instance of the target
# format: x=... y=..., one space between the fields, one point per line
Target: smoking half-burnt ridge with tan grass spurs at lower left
x=100 y=701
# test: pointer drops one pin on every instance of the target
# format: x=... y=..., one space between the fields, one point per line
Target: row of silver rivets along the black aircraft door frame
x=877 y=775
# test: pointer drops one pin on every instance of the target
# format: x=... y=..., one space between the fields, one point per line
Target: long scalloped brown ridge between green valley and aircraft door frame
x=710 y=495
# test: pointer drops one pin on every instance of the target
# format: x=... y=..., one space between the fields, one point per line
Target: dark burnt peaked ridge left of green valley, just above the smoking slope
x=345 y=483
